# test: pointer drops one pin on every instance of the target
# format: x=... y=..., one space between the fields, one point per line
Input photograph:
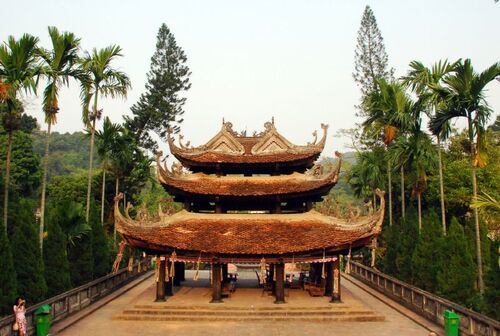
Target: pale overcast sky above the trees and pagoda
x=252 y=60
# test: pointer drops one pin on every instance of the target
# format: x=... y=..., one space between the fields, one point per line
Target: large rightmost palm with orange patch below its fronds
x=463 y=92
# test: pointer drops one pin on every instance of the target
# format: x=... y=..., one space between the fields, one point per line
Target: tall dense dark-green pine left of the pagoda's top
x=161 y=106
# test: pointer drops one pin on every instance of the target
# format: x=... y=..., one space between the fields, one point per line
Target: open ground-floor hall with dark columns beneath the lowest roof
x=276 y=280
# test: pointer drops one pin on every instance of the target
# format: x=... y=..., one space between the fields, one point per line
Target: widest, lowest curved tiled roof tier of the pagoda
x=248 y=234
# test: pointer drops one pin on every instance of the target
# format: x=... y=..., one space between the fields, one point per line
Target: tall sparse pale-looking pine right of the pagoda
x=371 y=60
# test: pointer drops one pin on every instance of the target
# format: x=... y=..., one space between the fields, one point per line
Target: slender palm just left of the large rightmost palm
x=421 y=80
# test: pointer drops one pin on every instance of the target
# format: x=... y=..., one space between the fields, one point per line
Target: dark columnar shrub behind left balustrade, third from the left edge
x=56 y=259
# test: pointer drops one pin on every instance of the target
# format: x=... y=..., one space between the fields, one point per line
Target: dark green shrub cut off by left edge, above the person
x=8 y=289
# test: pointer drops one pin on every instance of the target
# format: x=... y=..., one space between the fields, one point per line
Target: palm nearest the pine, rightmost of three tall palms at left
x=100 y=79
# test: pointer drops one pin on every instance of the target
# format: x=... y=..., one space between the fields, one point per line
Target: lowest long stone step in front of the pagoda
x=207 y=312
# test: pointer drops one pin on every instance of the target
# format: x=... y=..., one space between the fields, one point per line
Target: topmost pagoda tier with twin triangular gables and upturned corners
x=230 y=152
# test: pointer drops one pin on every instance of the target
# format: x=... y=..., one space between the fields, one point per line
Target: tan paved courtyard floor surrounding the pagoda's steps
x=101 y=323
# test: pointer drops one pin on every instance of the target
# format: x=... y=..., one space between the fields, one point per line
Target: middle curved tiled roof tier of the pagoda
x=246 y=186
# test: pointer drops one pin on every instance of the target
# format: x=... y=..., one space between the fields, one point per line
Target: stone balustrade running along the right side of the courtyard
x=424 y=303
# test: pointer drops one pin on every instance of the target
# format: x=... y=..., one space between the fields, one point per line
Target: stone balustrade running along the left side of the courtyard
x=76 y=299
